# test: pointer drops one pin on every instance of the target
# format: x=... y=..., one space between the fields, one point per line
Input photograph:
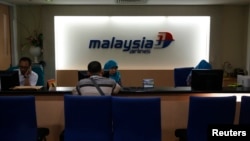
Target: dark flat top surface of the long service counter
x=131 y=90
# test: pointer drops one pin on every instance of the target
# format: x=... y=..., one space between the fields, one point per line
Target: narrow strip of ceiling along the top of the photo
x=128 y=2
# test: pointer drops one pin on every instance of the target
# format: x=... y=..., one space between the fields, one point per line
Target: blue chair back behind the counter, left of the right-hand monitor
x=181 y=75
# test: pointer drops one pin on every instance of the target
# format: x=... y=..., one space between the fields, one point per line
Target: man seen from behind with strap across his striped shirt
x=96 y=84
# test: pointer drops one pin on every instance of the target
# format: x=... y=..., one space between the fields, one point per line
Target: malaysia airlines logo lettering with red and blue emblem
x=142 y=45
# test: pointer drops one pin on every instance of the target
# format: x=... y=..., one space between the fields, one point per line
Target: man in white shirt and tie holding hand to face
x=27 y=77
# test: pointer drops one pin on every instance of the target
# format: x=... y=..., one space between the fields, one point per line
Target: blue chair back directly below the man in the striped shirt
x=87 y=118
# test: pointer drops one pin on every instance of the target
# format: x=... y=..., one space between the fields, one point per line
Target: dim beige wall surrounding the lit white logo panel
x=225 y=21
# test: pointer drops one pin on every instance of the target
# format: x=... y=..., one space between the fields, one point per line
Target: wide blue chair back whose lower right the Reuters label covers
x=204 y=111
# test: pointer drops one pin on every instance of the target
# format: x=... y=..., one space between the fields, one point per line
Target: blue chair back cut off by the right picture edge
x=245 y=110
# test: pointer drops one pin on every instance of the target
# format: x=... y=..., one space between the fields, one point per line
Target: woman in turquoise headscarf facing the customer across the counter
x=112 y=67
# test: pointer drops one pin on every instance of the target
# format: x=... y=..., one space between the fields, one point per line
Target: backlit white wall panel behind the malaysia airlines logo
x=188 y=37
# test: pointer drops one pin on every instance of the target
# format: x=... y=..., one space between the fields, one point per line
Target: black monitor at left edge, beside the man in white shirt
x=9 y=79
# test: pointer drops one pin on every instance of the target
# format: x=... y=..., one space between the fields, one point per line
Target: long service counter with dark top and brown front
x=174 y=105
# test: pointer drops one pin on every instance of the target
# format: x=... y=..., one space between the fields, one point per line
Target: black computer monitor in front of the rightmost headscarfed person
x=207 y=79
